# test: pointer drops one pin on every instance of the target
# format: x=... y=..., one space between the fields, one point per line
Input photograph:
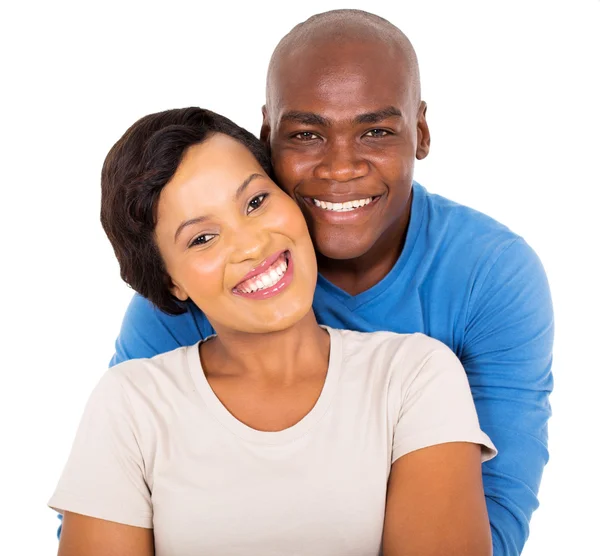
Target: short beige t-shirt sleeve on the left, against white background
x=104 y=475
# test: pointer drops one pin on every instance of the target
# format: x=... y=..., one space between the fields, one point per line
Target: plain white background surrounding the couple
x=513 y=99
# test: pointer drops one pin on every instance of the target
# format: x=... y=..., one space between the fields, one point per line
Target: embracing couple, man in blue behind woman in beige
x=324 y=358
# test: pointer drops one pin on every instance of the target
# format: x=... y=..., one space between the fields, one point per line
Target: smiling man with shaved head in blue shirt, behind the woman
x=344 y=122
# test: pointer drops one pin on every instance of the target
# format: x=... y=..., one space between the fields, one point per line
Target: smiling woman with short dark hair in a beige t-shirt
x=276 y=435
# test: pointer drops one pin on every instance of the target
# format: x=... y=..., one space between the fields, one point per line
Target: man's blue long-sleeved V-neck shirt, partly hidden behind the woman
x=470 y=282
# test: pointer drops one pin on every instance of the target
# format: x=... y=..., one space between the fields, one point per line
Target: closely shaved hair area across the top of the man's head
x=335 y=30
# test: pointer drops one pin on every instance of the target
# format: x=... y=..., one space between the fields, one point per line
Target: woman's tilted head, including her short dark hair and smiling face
x=192 y=213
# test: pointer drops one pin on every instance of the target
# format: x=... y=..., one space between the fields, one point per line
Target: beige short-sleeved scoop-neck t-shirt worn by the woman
x=157 y=449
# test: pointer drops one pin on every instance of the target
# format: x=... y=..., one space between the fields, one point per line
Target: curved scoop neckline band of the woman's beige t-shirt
x=241 y=430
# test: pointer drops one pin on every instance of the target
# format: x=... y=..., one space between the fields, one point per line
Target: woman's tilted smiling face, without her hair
x=233 y=242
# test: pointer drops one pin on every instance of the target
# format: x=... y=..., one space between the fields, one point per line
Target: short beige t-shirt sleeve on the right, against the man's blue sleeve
x=437 y=405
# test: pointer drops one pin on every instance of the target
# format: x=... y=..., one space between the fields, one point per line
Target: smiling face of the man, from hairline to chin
x=344 y=127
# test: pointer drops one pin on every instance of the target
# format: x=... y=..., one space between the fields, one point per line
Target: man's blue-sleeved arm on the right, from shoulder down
x=507 y=354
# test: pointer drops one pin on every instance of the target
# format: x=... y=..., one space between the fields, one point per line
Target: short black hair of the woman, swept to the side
x=134 y=173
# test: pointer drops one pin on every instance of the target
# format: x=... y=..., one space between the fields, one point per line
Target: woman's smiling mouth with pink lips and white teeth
x=270 y=280
